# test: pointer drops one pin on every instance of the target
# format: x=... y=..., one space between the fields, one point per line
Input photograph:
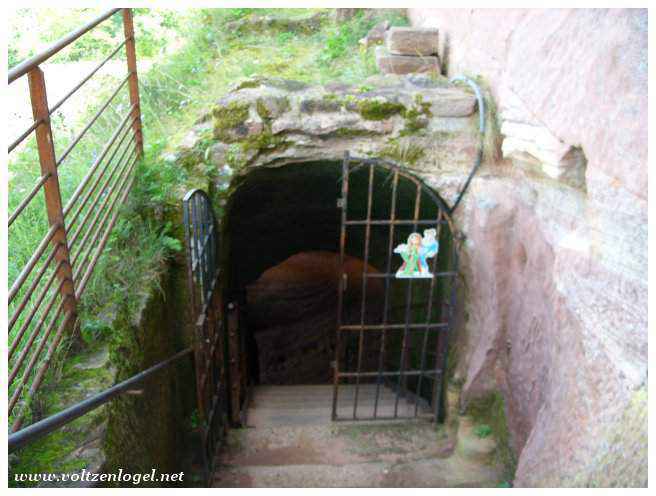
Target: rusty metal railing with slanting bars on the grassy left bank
x=44 y=296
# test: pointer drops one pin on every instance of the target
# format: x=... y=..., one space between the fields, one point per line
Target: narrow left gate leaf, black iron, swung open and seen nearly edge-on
x=201 y=234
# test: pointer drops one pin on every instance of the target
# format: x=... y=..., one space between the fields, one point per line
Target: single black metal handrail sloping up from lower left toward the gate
x=43 y=427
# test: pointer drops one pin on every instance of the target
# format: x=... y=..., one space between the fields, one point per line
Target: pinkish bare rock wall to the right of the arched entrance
x=556 y=251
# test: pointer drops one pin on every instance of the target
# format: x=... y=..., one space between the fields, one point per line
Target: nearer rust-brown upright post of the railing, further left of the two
x=46 y=150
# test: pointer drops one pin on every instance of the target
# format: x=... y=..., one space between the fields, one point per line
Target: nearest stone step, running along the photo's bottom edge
x=436 y=472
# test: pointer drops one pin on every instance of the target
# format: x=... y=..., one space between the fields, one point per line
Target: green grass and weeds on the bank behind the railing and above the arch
x=192 y=58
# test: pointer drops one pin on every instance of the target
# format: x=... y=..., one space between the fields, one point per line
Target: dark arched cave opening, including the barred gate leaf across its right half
x=329 y=290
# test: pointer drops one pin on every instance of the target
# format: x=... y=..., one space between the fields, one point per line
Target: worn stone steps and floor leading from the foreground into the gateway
x=307 y=450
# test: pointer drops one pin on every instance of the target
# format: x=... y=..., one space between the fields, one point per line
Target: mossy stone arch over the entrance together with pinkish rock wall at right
x=554 y=257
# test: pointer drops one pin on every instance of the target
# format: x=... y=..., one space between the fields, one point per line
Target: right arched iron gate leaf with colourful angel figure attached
x=392 y=327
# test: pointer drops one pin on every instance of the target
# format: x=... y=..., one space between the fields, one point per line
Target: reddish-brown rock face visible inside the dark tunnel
x=293 y=316
